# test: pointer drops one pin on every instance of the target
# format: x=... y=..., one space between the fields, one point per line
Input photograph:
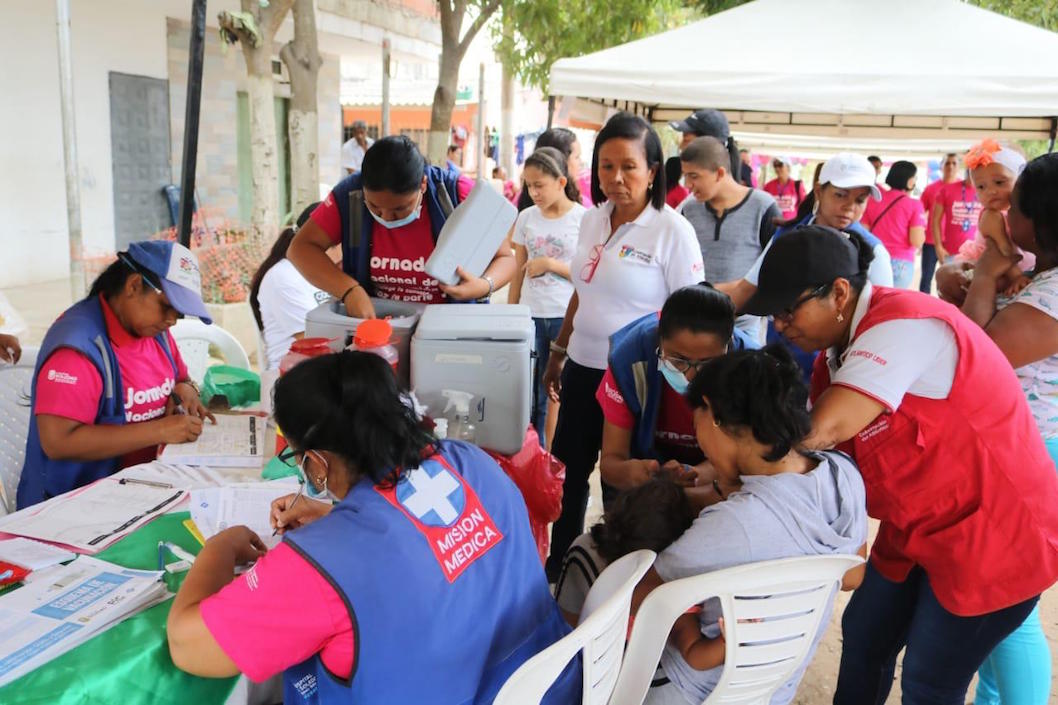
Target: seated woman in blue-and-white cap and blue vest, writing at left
x=111 y=386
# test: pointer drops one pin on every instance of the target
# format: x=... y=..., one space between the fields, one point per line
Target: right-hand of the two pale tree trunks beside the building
x=302 y=58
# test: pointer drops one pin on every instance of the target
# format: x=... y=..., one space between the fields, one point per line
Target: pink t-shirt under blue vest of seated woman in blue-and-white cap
x=69 y=385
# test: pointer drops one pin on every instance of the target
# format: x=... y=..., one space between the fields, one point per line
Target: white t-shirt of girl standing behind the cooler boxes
x=549 y=296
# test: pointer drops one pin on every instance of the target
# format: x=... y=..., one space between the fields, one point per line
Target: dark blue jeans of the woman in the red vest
x=943 y=650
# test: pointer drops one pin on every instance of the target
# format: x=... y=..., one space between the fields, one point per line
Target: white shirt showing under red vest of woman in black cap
x=883 y=365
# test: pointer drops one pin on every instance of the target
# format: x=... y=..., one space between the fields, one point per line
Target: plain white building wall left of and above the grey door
x=118 y=35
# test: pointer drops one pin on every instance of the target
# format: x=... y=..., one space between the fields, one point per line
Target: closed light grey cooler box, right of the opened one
x=485 y=350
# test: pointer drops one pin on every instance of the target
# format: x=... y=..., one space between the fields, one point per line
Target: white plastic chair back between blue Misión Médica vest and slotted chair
x=600 y=637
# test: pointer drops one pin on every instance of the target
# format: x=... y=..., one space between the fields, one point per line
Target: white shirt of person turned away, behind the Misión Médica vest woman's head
x=286 y=298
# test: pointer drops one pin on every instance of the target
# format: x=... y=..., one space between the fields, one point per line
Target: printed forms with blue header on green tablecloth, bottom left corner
x=47 y=619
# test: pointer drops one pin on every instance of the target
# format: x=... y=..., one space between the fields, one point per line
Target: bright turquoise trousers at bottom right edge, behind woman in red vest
x=1018 y=672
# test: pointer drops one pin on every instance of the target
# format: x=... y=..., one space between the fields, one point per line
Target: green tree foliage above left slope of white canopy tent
x=546 y=31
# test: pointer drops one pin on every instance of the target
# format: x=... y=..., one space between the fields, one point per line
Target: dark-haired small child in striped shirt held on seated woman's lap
x=651 y=516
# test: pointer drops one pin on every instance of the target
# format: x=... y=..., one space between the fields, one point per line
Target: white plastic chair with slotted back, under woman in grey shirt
x=772 y=613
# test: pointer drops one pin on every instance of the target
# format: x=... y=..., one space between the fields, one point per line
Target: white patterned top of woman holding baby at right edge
x=1039 y=381
